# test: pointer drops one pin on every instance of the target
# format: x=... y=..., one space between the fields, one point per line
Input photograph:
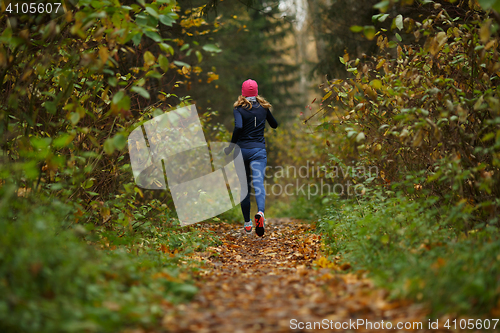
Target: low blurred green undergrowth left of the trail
x=51 y=280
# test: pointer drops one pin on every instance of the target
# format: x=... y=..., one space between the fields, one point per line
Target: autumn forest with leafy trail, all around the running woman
x=382 y=180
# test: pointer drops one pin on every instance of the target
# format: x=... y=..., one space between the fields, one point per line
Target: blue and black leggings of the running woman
x=255 y=166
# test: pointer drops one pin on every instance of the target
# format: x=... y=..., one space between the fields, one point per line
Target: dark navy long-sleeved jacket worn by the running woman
x=249 y=125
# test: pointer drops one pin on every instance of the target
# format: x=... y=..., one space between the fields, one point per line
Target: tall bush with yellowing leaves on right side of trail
x=427 y=103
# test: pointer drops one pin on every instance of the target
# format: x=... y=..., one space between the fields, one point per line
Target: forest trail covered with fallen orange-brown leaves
x=253 y=284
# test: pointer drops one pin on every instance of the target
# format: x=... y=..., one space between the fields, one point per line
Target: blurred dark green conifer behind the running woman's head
x=253 y=39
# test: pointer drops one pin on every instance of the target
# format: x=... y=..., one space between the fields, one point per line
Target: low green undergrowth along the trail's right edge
x=410 y=247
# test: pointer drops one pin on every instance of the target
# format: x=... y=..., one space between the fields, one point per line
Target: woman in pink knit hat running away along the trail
x=250 y=114
